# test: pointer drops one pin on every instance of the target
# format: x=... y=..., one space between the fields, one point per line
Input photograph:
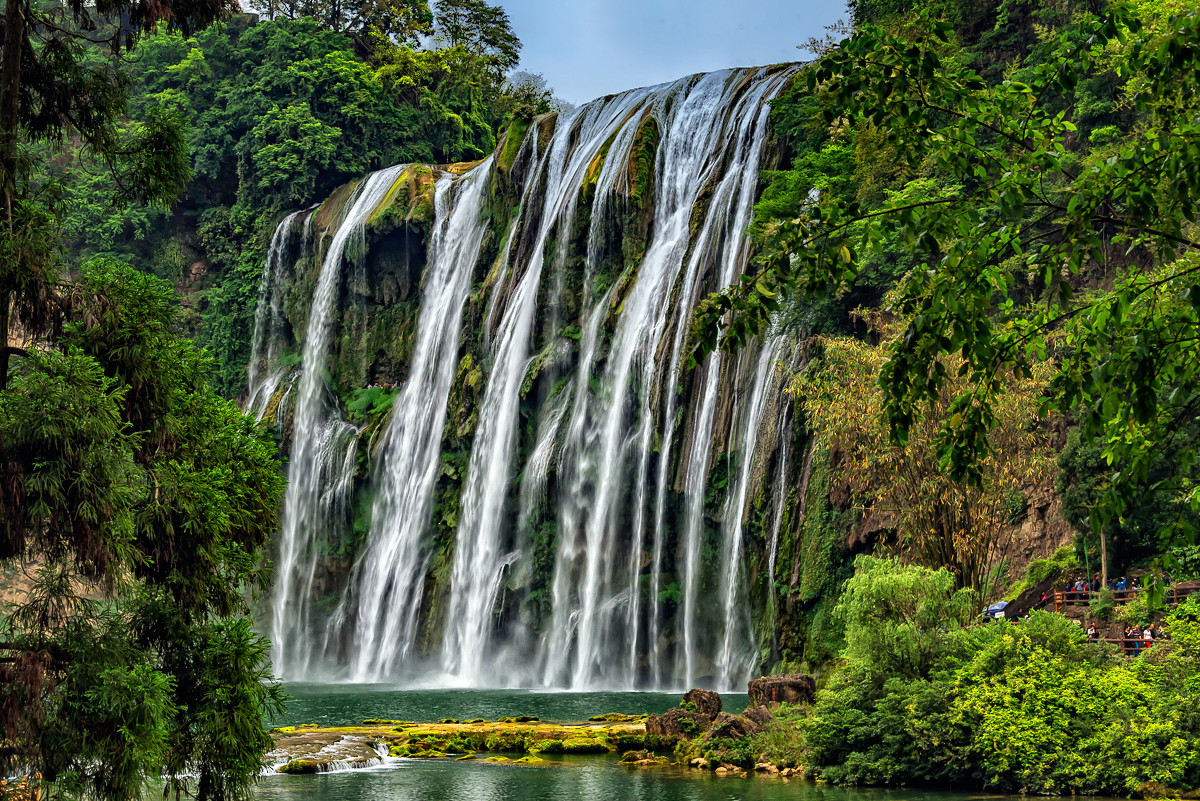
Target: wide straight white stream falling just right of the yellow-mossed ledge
x=389 y=576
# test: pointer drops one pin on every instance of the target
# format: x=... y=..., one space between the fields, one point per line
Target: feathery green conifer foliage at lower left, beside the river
x=145 y=502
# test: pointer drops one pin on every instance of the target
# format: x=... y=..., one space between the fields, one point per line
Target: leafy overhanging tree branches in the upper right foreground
x=1035 y=214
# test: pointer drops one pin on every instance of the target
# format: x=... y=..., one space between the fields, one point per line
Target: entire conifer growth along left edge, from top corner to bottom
x=137 y=502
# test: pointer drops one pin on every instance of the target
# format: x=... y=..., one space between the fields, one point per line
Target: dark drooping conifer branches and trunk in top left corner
x=52 y=86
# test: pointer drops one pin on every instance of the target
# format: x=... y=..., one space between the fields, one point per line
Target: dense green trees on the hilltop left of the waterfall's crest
x=279 y=115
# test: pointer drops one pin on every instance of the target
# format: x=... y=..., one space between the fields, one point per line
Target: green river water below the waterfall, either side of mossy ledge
x=559 y=779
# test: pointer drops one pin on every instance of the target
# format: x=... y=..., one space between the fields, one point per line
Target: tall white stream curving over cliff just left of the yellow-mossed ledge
x=322 y=460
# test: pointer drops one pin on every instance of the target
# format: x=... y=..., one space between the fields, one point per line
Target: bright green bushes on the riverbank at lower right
x=1027 y=707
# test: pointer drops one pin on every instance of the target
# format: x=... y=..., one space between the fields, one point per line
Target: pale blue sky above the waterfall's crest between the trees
x=589 y=49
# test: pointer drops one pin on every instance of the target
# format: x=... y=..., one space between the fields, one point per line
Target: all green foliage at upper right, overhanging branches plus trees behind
x=1028 y=180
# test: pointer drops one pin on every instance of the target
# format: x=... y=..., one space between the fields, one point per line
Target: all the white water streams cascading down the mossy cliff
x=609 y=442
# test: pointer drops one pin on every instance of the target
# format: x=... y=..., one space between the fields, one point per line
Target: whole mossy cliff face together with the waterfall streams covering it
x=595 y=510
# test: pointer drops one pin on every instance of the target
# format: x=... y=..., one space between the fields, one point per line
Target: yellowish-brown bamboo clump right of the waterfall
x=940 y=522
